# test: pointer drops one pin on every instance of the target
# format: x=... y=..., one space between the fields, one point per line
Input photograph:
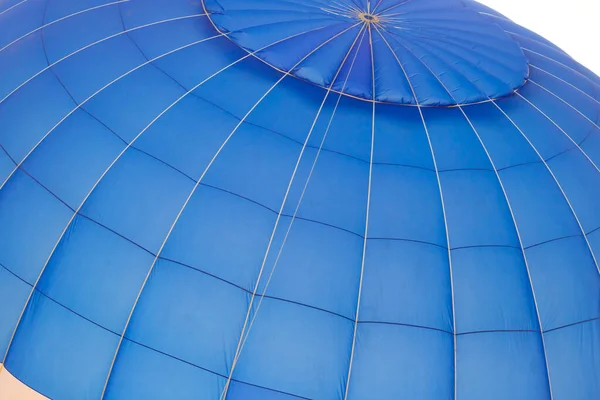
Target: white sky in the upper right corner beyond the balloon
x=573 y=25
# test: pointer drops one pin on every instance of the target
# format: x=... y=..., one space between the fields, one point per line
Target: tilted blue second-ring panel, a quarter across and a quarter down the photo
x=128 y=106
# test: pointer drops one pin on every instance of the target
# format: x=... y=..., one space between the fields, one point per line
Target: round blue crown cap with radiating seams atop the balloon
x=410 y=52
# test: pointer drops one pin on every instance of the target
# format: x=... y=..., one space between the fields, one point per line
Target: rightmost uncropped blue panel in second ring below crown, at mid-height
x=540 y=209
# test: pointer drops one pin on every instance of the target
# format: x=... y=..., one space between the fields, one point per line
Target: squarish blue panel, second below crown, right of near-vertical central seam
x=405 y=204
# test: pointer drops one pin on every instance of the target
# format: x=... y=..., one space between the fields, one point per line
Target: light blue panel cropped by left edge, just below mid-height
x=32 y=221
